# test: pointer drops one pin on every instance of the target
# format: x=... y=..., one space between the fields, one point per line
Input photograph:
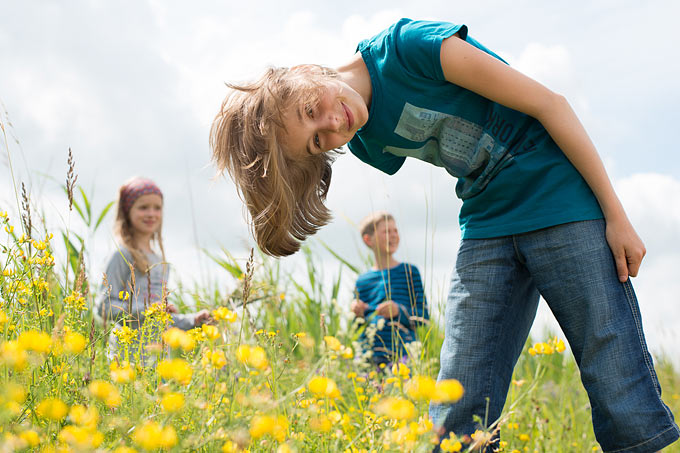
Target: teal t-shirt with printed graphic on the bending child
x=512 y=177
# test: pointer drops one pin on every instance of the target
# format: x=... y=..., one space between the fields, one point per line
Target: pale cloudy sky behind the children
x=132 y=88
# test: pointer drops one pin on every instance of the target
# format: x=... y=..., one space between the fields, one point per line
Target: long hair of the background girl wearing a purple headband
x=123 y=230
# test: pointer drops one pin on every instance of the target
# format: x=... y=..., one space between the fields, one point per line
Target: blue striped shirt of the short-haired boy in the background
x=401 y=284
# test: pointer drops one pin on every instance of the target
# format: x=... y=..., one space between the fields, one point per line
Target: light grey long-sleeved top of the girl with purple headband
x=148 y=289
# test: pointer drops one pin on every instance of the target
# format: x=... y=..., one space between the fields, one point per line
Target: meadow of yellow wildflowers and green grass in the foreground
x=276 y=372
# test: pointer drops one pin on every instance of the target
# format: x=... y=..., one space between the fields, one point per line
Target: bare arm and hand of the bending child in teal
x=468 y=67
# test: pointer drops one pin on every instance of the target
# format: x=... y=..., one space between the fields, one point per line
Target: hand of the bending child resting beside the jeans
x=626 y=246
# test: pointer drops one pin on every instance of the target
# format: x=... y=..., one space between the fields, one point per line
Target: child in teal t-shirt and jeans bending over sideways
x=539 y=214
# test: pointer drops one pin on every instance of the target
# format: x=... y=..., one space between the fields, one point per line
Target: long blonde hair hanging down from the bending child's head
x=285 y=198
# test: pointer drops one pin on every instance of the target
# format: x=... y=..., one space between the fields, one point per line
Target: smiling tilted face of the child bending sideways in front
x=327 y=125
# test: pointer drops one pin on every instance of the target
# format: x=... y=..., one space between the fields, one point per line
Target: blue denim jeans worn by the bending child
x=492 y=303
